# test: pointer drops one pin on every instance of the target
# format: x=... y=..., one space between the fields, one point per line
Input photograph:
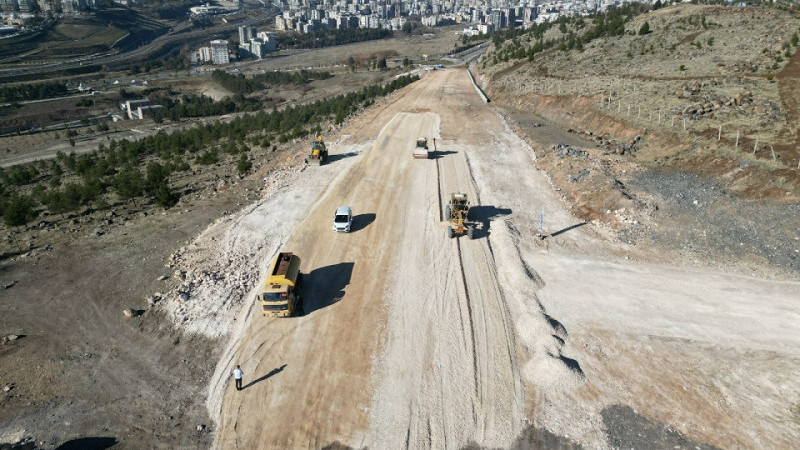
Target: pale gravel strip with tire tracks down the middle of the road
x=445 y=374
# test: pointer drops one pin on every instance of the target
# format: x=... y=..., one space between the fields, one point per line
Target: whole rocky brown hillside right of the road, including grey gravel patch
x=683 y=121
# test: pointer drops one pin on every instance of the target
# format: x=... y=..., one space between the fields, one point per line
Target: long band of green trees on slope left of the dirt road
x=116 y=168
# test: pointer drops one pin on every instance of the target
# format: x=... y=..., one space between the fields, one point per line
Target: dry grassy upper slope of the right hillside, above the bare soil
x=632 y=85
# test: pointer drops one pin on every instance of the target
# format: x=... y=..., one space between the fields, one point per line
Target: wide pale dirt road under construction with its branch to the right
x=414 y=340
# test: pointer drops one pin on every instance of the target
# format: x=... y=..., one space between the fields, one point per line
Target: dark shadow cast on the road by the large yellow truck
x=324 y=286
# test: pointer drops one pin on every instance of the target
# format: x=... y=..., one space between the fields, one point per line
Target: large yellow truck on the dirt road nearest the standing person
x=281 y=296
